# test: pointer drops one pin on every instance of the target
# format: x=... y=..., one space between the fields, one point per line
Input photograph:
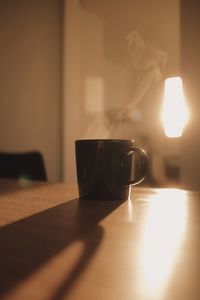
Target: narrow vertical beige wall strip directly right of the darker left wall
x=72 y=50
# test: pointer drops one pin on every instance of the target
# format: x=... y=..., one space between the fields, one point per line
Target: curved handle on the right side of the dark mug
x=144 y=165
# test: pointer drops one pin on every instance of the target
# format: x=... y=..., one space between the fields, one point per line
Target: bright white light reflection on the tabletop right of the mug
x=161 y=238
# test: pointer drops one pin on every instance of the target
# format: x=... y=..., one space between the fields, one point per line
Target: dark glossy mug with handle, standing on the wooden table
x=106 y=168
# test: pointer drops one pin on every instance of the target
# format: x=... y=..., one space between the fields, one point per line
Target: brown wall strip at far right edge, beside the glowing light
x=190 y=42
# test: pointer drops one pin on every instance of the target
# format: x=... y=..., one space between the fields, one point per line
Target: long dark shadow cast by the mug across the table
x=27 y=244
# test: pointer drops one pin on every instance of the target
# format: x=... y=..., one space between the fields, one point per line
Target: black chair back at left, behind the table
x=22 y=165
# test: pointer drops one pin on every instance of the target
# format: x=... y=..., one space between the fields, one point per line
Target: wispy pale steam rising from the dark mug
x=145 y=65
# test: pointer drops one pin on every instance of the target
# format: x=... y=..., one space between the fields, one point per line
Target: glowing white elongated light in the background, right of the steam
x=175 y=113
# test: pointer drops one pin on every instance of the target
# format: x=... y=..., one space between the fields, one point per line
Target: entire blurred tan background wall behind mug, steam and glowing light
x=64 y=62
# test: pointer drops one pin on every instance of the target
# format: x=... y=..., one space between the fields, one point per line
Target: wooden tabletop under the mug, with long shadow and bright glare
x=53 y=246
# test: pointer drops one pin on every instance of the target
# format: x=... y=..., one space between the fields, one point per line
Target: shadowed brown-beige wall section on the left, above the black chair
x=30 y=79
